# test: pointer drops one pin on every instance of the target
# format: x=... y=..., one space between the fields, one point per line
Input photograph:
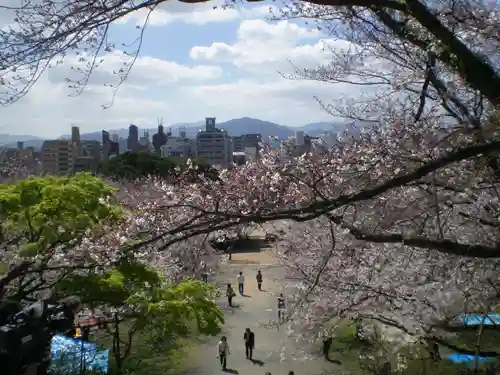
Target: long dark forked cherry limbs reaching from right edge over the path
x=214 y=221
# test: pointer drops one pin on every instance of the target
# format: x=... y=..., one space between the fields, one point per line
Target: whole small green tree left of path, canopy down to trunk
x=145 y=315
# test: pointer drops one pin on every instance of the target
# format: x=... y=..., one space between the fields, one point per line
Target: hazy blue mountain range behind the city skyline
x=235 y=127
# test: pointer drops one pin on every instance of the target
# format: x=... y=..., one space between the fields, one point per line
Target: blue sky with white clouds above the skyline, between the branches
x=195 y=62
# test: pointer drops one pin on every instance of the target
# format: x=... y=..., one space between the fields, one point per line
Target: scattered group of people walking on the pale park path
x=248 y=336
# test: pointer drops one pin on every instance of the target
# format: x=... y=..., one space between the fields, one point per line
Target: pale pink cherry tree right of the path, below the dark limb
x=418 y=292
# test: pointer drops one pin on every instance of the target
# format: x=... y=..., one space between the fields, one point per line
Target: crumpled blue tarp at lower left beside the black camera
x=68 y=355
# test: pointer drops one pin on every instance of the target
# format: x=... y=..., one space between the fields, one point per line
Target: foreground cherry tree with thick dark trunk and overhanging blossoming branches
x=412 y=161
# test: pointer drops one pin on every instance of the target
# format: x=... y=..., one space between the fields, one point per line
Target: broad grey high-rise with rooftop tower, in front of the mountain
x=214 y=144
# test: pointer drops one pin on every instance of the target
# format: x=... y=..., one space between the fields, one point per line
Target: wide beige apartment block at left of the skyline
x=58 y=156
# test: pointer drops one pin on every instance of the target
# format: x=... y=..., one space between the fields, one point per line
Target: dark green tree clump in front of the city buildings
x=137 y=165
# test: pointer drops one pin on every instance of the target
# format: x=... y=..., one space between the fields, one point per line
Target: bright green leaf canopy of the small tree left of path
x=160 y=310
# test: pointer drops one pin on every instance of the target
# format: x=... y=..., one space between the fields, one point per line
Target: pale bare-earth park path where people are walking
x=254 y=311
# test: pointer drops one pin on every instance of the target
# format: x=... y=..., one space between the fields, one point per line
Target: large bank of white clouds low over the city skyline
x=180 y=93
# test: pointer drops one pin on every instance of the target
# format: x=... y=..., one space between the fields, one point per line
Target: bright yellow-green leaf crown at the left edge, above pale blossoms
x=51 y=210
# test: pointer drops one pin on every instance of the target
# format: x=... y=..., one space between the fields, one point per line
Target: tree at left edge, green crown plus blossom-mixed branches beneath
x=44 y=221
